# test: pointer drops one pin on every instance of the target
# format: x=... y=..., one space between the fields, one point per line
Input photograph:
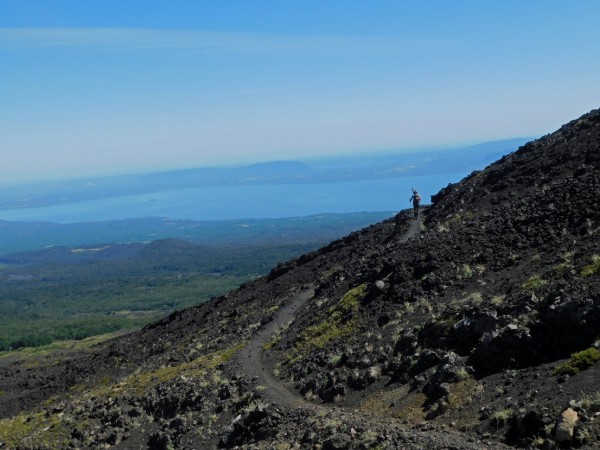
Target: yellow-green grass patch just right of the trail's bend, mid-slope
x=338 y=323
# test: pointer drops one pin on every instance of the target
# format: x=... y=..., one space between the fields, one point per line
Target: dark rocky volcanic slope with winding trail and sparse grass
x=474 y=327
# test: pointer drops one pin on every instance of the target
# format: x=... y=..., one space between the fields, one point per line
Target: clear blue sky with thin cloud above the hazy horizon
x=101 y=86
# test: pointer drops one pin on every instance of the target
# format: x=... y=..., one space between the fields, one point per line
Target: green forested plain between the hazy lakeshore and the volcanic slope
x=73 y=292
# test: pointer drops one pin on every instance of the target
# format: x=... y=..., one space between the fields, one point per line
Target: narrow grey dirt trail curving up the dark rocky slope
x=251 y=361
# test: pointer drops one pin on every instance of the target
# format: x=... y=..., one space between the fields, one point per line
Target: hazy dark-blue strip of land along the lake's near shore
x=21 y=236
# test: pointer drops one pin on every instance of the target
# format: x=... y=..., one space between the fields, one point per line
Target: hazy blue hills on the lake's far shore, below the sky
x=359 y=167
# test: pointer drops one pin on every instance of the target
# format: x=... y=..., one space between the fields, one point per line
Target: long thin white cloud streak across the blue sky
x=151 y=39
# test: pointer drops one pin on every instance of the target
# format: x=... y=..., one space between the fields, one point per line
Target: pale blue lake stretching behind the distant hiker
x=239 y=202
